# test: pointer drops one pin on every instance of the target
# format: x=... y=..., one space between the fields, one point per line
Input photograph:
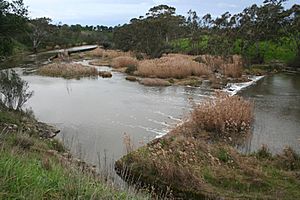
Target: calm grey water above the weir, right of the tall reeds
x=277 y=112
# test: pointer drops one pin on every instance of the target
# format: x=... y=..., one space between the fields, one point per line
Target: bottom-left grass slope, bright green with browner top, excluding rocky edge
x=28 y=172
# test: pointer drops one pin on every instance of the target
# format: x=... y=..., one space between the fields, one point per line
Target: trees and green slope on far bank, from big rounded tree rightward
x=254 y=33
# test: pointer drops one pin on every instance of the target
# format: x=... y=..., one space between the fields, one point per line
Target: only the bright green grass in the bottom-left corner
x=24 y=177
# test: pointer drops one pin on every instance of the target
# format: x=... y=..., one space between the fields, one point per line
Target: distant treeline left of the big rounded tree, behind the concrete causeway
x=19 y=33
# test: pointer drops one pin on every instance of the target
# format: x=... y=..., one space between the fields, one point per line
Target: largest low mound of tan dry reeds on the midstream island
x=172 y=67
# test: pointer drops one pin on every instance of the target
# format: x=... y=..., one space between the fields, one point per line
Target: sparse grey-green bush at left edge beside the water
x=13 y=90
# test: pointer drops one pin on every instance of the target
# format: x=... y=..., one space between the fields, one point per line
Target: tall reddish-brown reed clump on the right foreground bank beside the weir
x=224 y=115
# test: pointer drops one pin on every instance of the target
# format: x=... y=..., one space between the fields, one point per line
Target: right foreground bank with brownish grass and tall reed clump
x=197 y=159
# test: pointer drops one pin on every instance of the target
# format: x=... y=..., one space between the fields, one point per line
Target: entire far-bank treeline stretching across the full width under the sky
x=259 y=33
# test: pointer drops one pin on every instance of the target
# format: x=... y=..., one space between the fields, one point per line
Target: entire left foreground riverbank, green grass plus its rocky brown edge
x=35 y=167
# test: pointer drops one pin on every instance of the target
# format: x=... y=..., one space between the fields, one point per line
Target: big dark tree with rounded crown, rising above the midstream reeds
x=150 y=34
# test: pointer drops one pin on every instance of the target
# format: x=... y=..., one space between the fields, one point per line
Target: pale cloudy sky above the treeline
x=114 y=12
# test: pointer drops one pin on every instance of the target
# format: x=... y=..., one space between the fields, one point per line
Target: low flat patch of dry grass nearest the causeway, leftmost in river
x=67 y=70
